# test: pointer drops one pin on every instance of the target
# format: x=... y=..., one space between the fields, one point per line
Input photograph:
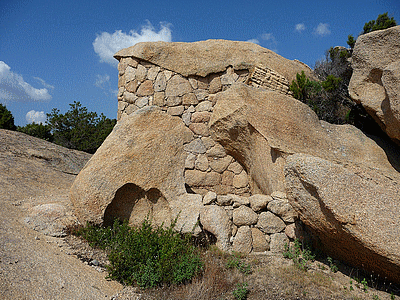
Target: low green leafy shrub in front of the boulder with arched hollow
x=146 y=255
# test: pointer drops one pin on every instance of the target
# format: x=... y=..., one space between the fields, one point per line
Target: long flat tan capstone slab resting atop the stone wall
x=212 y=56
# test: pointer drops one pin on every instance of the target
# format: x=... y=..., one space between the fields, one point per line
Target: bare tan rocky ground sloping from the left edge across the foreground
x=38 y=261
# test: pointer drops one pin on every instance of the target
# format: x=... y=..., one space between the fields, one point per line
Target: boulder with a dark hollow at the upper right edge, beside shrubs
x=375 y=82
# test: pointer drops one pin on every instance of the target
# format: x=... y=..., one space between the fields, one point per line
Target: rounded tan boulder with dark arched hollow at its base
x=137 y=173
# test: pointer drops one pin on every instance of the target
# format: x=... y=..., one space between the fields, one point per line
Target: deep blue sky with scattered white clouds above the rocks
x=55 y=52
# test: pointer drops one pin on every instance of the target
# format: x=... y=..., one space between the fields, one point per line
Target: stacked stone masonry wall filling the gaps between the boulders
x=209 y=170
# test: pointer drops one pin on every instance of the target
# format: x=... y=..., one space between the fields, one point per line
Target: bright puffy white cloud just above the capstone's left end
x=107 y=44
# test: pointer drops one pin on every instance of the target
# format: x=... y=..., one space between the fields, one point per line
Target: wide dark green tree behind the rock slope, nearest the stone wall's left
x=78 y=128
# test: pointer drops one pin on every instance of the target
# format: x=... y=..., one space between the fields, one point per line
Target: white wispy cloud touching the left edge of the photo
x=14 y=88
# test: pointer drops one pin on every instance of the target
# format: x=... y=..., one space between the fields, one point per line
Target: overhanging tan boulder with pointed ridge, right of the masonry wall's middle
x=261 y=128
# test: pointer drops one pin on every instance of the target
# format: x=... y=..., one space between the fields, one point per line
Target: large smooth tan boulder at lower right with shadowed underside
x=354 y=210
